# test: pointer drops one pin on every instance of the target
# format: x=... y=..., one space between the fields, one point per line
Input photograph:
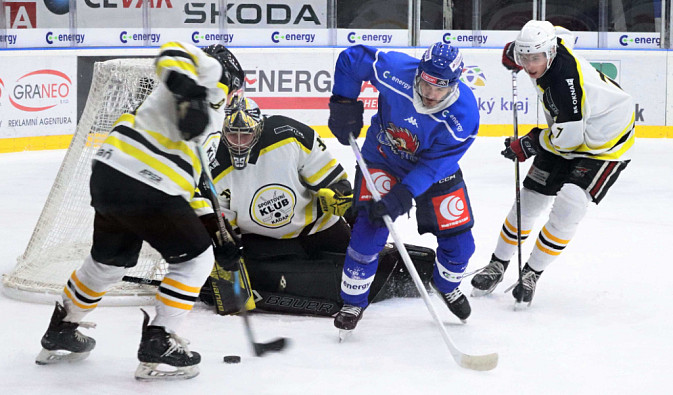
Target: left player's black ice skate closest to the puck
x=158 y=347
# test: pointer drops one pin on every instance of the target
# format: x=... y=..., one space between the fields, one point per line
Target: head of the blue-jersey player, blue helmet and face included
x=437 y=76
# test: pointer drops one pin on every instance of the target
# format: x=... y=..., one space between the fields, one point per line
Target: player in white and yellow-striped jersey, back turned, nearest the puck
x=144 y=187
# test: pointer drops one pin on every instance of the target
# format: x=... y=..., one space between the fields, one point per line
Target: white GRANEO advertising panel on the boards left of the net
x=37 y=95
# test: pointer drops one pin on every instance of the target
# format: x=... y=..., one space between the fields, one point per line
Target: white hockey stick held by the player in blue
x=474 y=362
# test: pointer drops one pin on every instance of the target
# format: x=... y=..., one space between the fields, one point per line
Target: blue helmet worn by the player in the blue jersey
x=441 y=65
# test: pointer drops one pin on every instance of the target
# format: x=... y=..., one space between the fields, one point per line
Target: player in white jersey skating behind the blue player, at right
x=578 y=156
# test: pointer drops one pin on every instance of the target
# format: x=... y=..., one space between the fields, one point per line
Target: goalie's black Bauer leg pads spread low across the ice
x=284 y=279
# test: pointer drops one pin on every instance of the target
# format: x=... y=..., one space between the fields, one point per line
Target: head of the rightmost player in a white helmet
x=535 y=46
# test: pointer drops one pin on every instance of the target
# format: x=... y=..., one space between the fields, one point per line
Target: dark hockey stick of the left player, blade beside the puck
x=225 y=232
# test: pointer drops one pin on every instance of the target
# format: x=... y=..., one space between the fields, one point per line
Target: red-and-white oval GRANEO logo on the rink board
x=40 y=90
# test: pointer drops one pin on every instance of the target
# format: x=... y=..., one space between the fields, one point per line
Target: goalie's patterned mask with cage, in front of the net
x=243 y=124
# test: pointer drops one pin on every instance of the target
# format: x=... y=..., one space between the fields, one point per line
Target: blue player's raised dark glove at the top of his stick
x=345 y=117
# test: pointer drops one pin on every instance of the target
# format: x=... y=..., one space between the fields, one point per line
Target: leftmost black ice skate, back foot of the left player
x=63 y=342
